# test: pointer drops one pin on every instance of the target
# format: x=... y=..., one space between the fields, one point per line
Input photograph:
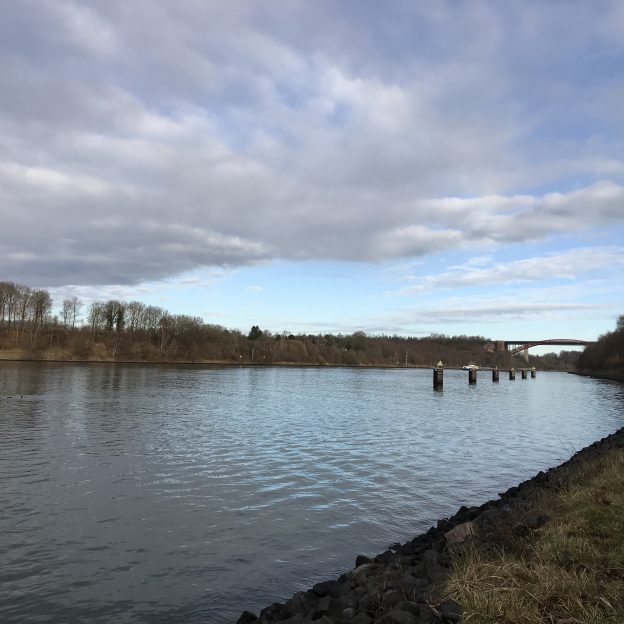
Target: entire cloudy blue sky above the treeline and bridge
x=331 y=166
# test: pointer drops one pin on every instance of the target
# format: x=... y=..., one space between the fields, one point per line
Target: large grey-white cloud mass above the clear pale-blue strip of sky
x=144 y=140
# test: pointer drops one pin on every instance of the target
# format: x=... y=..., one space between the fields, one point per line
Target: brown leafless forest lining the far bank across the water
x=131 y=331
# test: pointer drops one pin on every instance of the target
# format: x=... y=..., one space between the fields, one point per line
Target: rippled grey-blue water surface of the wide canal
x=183 y=494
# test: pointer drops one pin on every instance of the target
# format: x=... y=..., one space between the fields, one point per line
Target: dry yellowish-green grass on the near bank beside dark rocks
x=570 y=570
